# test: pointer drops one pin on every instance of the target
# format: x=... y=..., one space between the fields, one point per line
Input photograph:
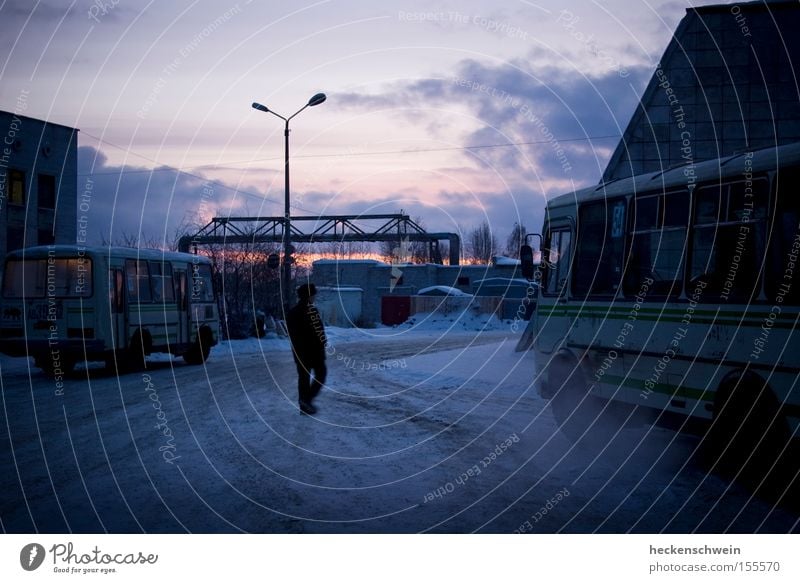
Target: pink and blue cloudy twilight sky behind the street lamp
x=452 y=112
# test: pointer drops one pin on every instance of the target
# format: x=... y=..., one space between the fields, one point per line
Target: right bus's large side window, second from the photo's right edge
x=729 y=239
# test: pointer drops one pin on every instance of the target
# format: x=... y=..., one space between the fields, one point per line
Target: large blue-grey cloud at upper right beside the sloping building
x=567 y=123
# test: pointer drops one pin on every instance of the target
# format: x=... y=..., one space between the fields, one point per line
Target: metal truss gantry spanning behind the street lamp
x=322 y=229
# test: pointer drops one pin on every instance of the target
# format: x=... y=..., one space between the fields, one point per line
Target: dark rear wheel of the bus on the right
x=749 y=439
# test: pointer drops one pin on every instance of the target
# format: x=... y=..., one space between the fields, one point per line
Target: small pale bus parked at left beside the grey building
x=62 y=304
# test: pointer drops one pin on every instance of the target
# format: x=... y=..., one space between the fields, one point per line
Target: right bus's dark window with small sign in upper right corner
x=601 y=242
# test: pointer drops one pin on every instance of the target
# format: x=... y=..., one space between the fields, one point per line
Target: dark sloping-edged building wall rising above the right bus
x=726 y=83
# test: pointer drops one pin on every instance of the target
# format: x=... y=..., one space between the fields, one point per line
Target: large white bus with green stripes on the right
x=677 y=294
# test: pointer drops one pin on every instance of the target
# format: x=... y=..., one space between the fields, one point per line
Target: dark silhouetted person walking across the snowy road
x=307 y=335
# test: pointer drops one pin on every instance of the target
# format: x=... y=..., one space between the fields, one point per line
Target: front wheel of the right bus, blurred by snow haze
x=581 y=417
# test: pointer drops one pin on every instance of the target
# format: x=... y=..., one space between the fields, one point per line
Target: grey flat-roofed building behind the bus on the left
x=38 y=182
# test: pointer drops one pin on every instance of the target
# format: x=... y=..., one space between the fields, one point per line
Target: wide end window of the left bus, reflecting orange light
x=51 y=277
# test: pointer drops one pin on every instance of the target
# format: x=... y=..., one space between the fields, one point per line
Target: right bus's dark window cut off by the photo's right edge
x=783 y=274
